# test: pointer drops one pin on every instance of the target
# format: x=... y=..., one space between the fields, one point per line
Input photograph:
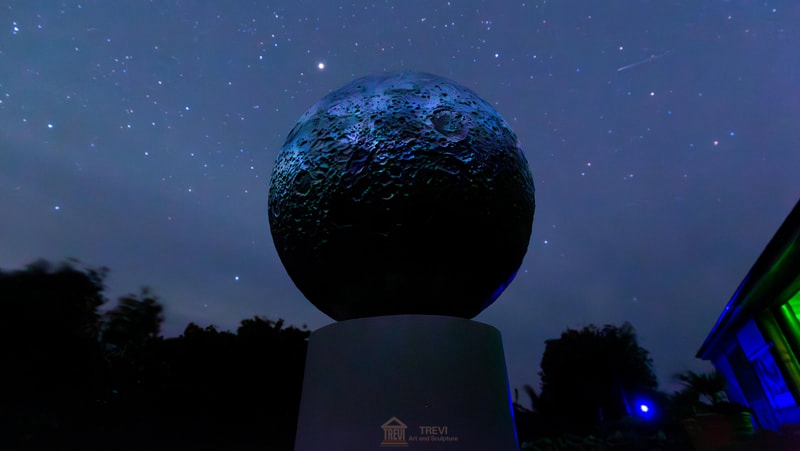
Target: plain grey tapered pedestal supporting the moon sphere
x=417 y=381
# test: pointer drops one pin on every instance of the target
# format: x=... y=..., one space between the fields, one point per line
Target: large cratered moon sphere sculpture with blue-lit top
x=401 y=193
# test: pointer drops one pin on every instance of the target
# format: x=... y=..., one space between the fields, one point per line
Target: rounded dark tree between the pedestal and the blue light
x=591 y=376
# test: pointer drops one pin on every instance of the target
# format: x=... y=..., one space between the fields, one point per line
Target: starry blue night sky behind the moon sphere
x=141 y=136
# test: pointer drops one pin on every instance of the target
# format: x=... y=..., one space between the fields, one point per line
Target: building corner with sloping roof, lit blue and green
x=755 y=343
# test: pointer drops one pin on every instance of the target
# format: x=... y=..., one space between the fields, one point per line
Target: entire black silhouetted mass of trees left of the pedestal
x=76 y=379
